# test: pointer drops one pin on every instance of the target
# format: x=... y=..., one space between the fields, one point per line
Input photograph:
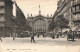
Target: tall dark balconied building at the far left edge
x=5 y=16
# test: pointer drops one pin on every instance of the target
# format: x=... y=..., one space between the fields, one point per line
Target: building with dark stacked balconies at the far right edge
x=76 y=13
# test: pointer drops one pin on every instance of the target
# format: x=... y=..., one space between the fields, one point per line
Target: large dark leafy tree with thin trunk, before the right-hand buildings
x=62 y=22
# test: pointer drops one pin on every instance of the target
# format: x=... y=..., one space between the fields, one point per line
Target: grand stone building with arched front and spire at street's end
x=39 y=23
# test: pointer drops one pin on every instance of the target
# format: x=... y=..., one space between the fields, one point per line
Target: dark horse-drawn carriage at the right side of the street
x=73 y=34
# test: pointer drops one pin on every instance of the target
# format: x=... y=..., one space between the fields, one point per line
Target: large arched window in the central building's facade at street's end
x=40 y=24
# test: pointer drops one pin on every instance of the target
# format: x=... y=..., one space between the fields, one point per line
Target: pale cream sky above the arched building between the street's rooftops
x=32 y=7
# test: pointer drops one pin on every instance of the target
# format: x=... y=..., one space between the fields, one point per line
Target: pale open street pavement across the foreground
x=41 y=44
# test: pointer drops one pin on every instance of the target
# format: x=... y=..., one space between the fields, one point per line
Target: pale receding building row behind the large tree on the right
x=64 y=7
